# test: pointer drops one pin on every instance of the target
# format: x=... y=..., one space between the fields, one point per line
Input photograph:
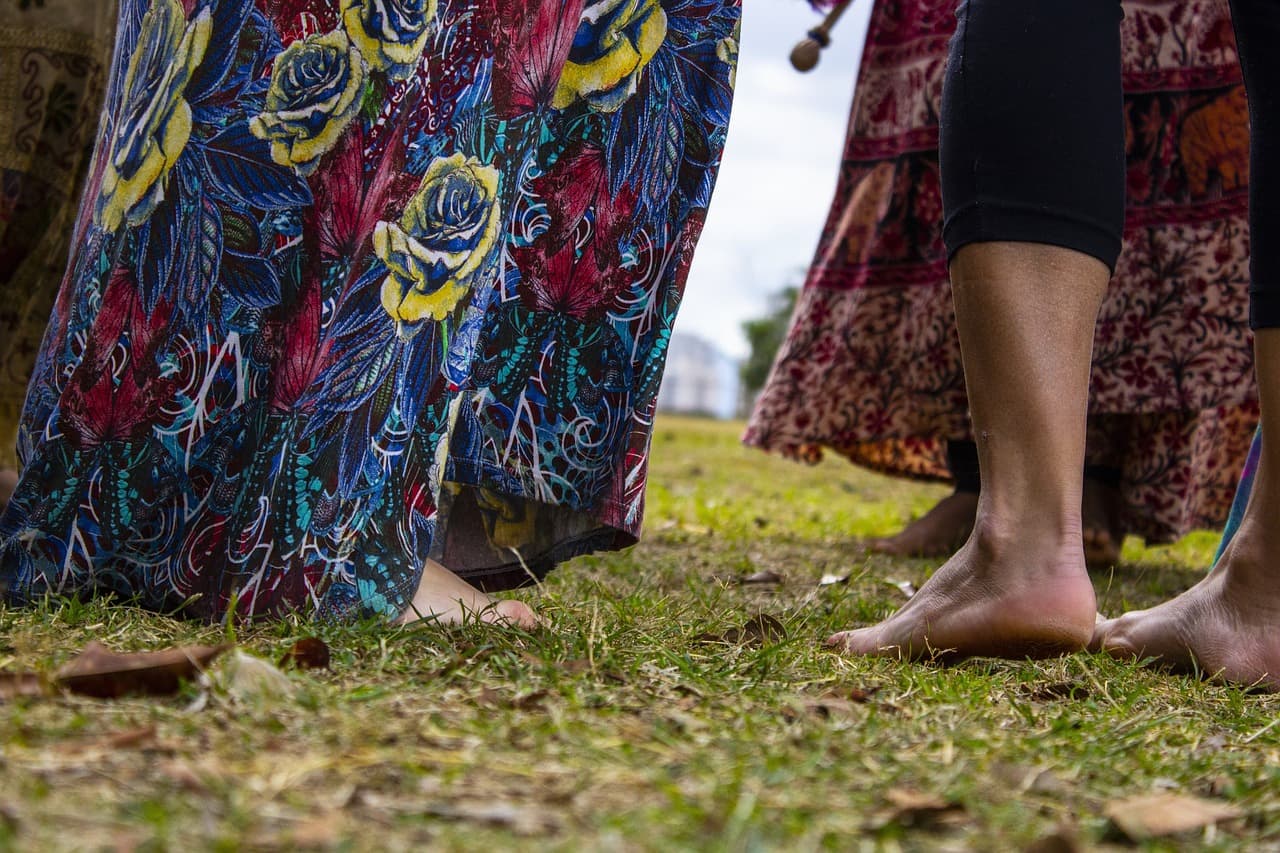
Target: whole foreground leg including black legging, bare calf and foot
x=1032 y=248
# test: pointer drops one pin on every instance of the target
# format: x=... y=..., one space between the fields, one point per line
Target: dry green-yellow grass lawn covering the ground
x=624 y=728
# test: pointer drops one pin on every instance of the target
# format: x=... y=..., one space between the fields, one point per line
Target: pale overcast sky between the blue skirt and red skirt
x=779 y=172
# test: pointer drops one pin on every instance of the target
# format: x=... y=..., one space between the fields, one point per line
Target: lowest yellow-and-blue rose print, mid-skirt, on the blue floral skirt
x=446 y=236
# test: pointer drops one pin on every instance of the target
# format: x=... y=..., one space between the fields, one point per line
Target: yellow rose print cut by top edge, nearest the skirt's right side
x=614 y=44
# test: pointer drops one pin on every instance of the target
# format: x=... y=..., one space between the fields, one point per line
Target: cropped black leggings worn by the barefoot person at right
x=1032 y=131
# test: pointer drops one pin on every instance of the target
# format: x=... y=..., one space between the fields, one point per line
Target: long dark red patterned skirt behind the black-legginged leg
x=872 y=370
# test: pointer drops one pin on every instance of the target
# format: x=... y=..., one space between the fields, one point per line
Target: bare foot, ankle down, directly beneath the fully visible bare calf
x=995 y=599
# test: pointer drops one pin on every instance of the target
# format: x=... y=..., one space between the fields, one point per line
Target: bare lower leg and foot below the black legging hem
x=1020 y=585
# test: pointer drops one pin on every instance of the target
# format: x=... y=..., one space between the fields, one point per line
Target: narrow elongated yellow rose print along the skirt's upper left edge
x=156 y=125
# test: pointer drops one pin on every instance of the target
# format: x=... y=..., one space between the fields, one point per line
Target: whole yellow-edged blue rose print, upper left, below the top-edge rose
x=316 y=92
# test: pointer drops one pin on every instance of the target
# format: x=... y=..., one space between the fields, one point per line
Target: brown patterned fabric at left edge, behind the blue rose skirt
x=54 y=57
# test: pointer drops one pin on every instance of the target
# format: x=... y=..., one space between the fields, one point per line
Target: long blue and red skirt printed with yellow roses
x=364 y=282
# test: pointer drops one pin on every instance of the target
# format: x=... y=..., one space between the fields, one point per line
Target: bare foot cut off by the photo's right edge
x=1227 y=627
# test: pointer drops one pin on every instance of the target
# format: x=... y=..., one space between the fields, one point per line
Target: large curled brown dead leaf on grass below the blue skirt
x=100 y=673
